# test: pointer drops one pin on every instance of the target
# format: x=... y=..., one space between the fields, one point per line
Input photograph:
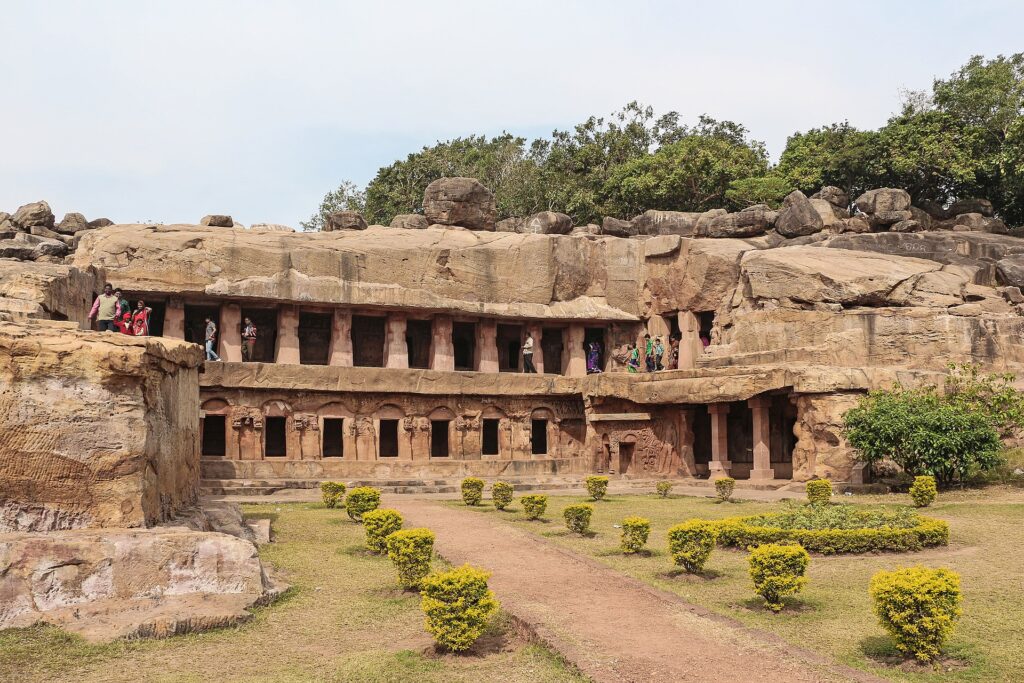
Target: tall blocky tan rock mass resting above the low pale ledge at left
x=80 y=441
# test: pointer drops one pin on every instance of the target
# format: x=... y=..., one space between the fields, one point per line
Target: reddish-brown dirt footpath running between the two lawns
x=612 y=627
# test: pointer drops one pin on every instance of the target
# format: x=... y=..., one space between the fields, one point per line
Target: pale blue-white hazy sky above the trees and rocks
x=169 y=111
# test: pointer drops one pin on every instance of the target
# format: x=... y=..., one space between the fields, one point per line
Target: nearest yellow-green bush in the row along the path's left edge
x=458 y=606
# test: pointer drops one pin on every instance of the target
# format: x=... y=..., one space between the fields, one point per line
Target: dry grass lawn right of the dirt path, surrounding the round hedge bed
x=834 y=614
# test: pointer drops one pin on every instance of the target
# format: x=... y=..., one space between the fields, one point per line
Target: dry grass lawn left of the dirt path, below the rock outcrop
x=346 y=620
